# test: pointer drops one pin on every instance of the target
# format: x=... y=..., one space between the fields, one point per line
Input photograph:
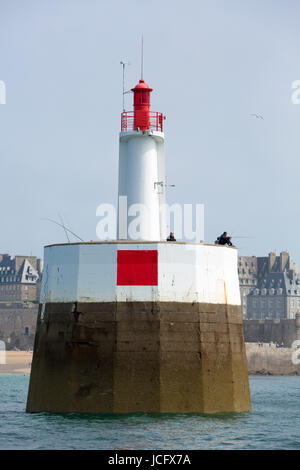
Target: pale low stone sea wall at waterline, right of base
x=266 y=360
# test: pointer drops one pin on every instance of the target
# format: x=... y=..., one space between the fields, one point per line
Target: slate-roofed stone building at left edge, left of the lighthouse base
x=20 y=278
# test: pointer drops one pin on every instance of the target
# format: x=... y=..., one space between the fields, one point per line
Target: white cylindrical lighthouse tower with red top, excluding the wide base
x=141 y=171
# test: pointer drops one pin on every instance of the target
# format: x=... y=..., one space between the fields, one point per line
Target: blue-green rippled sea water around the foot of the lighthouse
x=273 y=423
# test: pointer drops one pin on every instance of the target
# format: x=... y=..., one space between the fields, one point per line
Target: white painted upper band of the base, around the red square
x=87 y=272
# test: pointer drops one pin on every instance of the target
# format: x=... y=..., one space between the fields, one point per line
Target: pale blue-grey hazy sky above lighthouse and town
x=211 y=63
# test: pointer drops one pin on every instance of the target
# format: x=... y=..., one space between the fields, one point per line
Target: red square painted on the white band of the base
x=137 y=268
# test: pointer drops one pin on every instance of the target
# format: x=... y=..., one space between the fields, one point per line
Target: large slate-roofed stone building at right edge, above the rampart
x=276 y=294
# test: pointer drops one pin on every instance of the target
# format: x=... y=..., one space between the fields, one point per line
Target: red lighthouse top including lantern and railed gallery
x=141 y=118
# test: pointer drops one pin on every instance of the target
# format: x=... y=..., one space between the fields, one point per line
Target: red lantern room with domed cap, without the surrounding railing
x=141 y=105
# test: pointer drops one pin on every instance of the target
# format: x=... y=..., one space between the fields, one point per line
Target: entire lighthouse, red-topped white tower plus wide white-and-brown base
x=139 y=324
